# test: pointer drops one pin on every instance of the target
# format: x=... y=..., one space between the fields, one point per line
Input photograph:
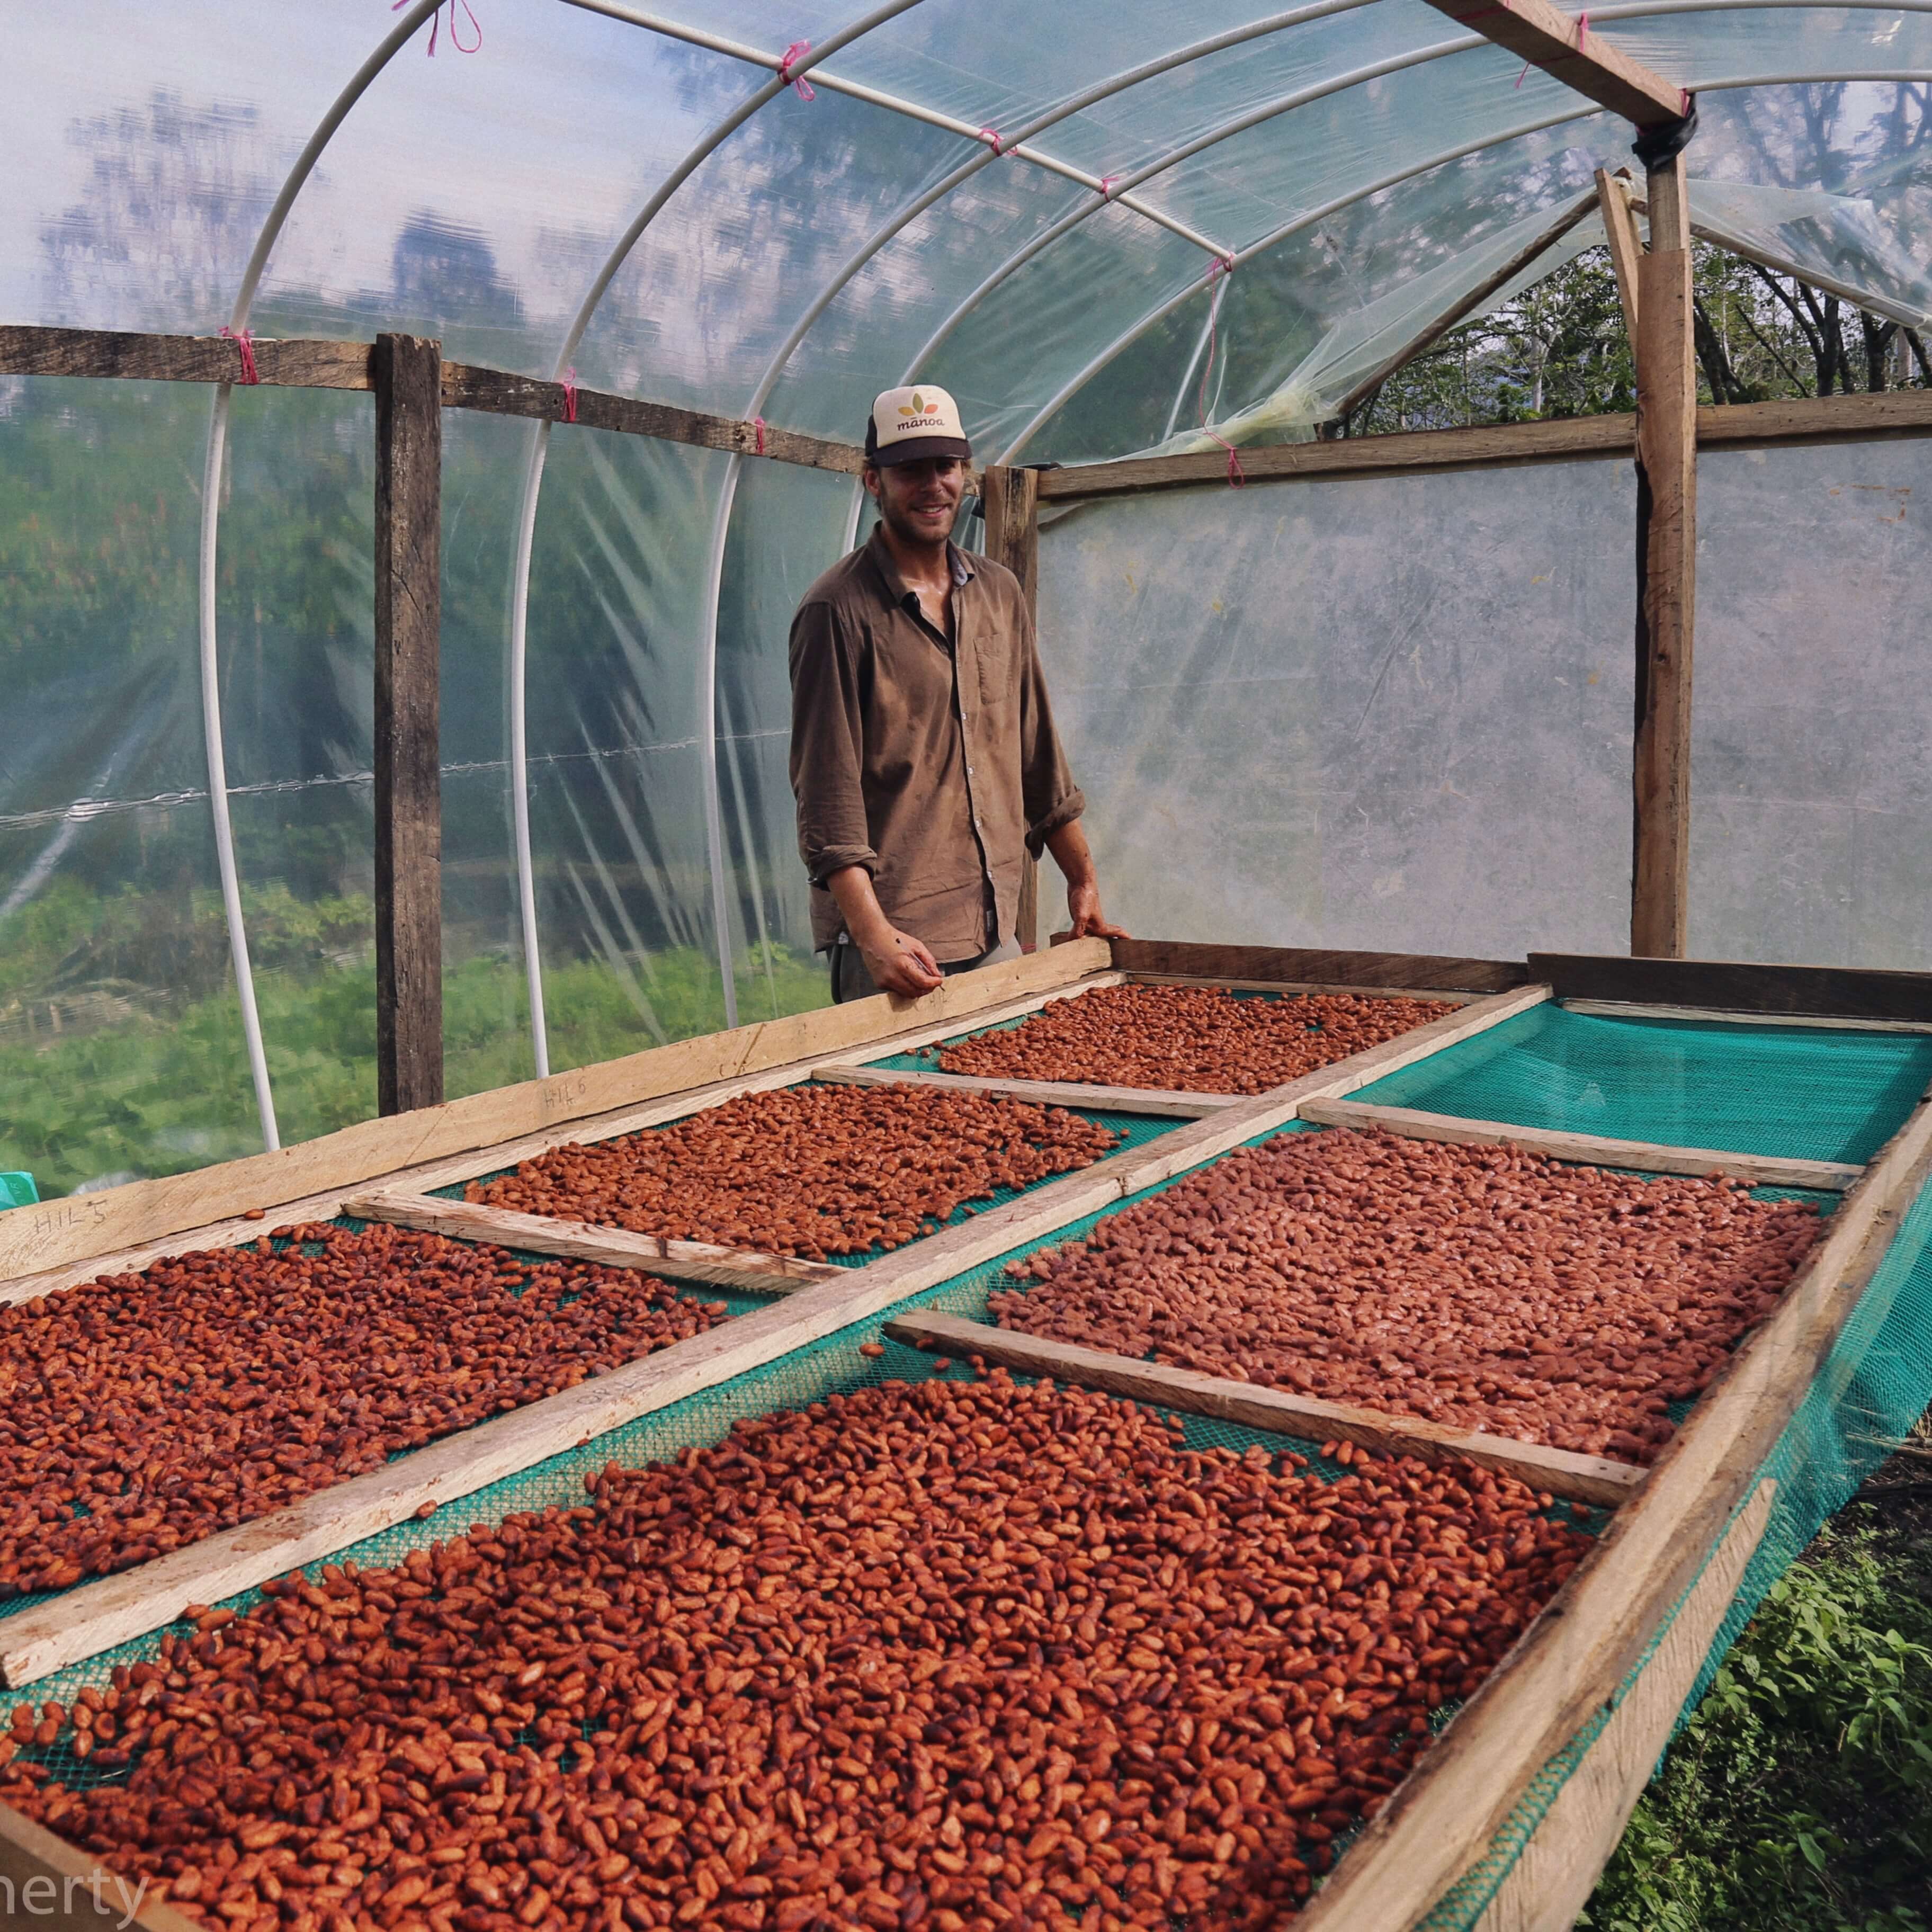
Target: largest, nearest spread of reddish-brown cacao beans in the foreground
x=959 y=1657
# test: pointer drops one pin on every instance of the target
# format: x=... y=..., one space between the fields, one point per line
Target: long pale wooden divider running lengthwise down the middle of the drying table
x=117 y=1608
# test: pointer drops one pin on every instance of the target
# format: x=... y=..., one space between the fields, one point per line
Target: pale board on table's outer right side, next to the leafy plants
x=1558 y=1869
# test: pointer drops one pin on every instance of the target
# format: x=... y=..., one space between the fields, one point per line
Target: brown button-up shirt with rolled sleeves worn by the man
x=930 y=764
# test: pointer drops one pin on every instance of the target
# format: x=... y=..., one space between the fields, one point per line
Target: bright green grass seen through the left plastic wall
x=163 y=1087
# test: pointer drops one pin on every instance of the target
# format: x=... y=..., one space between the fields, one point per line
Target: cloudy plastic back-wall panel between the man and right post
x=1355 y=714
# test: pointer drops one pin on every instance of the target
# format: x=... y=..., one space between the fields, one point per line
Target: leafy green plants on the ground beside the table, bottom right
x=1800 y=1796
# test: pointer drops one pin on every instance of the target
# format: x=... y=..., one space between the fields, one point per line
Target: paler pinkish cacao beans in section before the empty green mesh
x=1483 y=1288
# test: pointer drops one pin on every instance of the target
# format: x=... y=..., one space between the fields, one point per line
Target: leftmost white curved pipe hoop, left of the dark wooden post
x=212 y=515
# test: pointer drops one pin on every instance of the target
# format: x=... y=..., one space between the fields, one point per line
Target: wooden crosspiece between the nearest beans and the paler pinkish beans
x=1585 y=1479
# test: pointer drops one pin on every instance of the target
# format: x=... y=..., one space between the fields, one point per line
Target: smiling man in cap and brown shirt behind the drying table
x=924 y=754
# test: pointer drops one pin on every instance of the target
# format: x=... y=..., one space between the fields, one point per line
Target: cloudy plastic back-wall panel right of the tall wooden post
x=1809 y=776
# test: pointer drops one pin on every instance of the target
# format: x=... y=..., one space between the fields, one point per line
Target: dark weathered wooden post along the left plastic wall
x=409 y=783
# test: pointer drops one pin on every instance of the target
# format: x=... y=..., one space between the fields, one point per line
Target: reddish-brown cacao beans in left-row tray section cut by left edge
x=140 y=1413
